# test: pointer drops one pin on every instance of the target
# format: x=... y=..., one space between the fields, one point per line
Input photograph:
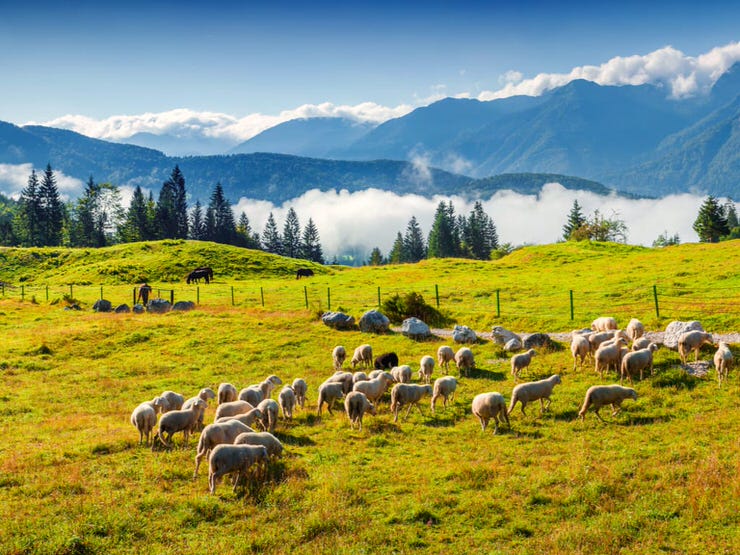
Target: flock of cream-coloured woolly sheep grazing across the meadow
x=231 y=444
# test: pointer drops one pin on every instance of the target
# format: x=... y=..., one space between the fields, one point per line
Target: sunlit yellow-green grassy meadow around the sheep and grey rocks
x=661 y=477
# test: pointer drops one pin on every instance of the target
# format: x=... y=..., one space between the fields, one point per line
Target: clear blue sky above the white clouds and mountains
x=240 y=58
